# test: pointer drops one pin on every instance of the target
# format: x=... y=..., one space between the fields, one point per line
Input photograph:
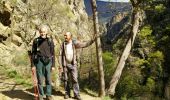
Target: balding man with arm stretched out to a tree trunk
x=68 y=63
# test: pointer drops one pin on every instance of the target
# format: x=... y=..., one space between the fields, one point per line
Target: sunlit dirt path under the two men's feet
x=9 y=90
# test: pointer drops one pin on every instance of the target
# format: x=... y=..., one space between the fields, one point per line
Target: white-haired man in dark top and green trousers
x=43 y=61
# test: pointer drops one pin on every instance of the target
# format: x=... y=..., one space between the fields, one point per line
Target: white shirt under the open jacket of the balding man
x=69 y=52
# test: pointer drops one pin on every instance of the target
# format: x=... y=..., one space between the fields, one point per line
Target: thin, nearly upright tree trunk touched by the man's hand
x=98 y=50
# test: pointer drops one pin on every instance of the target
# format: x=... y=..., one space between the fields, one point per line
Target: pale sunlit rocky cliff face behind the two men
x=19 y=20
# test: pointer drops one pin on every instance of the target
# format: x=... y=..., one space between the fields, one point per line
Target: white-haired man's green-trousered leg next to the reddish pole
x=40 y=76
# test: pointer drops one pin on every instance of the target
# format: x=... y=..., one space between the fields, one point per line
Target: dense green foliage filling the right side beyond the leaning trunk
x=143 y=75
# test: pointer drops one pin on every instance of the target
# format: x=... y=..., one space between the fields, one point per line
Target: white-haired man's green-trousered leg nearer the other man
x=48 y=79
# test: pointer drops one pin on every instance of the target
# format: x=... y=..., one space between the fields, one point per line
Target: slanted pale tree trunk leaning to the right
x=126 y=52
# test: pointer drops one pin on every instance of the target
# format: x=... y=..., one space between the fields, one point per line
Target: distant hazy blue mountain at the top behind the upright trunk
x=106 y=10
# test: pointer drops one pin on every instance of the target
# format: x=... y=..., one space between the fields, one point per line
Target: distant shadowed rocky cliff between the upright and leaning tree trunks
x=115 y=28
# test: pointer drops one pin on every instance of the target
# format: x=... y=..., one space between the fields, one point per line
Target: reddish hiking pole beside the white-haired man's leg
x=36 y=91
